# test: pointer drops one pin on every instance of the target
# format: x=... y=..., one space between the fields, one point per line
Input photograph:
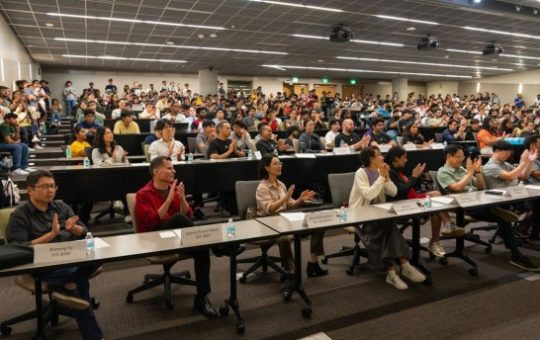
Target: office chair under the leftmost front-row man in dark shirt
x=51 y=309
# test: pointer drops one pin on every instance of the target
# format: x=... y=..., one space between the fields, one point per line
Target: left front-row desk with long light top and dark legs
x=125 y=247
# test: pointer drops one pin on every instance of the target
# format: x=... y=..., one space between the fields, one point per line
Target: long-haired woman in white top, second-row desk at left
x=106 y=151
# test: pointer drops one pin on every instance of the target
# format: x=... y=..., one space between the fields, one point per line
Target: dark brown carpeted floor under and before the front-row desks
x=496 y=304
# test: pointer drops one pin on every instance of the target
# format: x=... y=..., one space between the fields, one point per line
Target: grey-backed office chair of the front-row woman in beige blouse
x=245 y=199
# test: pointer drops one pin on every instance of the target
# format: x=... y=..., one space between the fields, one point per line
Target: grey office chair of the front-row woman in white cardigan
x=340 y=189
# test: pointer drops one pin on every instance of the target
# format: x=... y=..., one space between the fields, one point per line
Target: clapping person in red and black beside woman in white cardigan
x=396 y=158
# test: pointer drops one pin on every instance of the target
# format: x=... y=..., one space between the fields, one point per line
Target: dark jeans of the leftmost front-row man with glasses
x=86 y=319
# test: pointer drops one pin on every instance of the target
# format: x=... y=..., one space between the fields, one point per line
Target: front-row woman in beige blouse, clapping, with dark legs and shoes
x=273 y=197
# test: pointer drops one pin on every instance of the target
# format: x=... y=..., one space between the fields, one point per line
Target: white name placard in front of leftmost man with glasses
x=60 y=251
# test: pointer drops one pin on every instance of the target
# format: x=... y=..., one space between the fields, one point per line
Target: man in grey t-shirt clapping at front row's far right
x=498 y=173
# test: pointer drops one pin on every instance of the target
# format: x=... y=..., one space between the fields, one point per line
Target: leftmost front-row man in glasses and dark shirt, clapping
x=42 y=219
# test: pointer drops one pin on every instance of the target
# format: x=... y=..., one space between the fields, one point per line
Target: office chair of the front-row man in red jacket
x=167 y=261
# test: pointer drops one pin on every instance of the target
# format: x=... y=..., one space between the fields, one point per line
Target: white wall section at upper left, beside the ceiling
x=15 y=63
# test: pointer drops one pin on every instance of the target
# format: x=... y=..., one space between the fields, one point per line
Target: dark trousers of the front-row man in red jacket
x=201 y=257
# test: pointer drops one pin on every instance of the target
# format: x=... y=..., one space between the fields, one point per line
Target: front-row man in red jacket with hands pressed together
x=161 y=204
